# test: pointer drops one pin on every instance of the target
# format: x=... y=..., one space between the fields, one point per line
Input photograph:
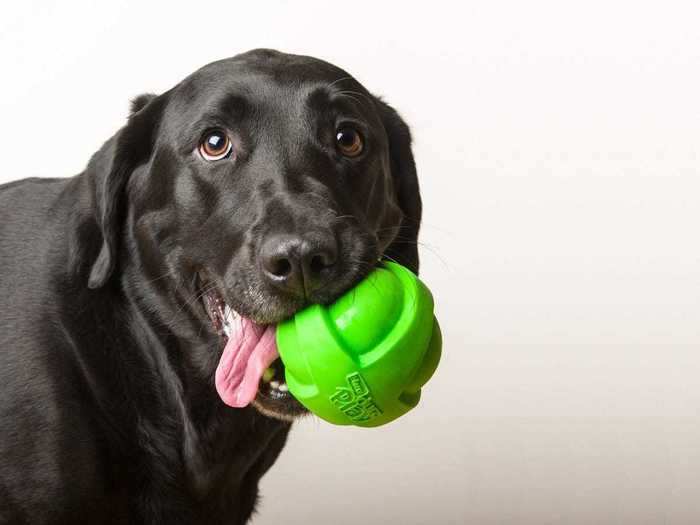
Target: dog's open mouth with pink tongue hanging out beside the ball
x=250 y=371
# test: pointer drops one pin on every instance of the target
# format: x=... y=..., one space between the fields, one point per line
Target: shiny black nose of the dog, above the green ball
x=300 y=264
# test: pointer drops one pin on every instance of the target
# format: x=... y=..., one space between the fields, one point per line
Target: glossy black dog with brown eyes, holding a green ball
x=137 y=299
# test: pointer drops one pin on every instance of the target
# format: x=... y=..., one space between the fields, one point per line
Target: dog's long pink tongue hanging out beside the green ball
x=250 y=349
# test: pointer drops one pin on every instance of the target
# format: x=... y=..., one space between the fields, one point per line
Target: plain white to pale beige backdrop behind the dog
x=558 y=150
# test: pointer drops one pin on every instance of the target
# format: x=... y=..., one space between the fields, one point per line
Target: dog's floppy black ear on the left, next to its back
x=109 y=170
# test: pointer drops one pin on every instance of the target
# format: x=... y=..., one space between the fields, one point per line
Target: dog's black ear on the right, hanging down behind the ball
x=404 y=248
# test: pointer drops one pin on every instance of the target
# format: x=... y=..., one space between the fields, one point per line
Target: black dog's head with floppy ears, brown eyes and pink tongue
x=256 y=186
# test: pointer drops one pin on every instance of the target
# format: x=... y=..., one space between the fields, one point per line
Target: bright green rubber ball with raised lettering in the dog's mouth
x=363 y=359
